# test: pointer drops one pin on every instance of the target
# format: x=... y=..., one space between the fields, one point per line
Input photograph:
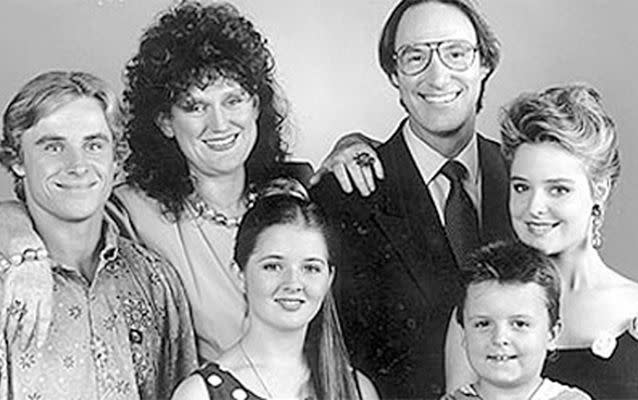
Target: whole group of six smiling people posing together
x=164 y=246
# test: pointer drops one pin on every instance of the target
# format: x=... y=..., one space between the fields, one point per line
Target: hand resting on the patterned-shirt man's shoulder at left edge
x=28 y=297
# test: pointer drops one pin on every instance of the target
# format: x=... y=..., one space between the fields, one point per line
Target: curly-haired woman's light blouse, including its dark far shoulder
x=202 y=253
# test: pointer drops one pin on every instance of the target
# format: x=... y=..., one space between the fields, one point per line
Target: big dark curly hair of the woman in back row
x=194 y=45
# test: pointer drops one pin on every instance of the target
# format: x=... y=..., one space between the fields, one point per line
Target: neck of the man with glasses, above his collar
x=448 y=144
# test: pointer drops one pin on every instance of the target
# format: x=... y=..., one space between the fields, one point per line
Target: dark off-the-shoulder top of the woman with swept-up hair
x=612 y=378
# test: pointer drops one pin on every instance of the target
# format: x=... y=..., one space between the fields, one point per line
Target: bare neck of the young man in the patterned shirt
x=72 y=243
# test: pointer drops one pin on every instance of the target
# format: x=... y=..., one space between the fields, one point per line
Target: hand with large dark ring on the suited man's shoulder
x=353 y=159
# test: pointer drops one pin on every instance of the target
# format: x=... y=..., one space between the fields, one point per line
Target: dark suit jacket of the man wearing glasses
x=397 y=279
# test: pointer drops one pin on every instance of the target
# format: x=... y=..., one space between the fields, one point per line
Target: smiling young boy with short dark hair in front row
x=509 y=312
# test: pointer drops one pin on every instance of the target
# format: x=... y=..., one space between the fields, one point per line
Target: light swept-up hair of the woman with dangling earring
x=570 y=116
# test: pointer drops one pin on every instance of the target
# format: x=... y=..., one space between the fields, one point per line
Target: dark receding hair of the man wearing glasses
x=488 y=45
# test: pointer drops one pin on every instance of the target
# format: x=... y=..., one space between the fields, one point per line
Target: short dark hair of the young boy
x=511 y=263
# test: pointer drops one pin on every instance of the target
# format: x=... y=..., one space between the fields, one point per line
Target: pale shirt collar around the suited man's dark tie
x=430 y=161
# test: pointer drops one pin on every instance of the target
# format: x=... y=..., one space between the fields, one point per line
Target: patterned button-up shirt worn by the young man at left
x=125 y=335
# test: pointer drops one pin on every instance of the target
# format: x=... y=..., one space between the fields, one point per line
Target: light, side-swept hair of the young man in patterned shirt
x=43 y=95
